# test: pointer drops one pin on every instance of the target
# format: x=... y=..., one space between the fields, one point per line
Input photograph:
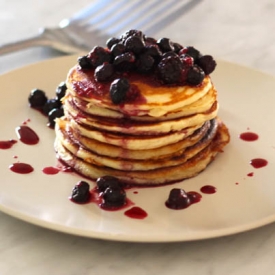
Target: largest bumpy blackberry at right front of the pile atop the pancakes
x=169 y=69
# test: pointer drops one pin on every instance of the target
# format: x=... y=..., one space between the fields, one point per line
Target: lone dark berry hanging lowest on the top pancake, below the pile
x=119 y=89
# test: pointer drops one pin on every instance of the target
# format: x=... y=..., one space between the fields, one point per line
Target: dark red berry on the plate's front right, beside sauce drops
x=178 y=199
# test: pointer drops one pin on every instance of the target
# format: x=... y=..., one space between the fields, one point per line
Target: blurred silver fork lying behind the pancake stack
x=103 y=19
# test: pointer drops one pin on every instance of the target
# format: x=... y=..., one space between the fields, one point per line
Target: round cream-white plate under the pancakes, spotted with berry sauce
x=246 y=101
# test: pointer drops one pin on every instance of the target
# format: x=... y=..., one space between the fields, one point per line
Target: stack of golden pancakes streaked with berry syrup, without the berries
x=163 y=134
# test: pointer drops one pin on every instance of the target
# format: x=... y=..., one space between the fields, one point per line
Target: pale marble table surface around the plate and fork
x=240 y=32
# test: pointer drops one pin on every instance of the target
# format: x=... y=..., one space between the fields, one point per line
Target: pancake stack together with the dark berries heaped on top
x=141 y=110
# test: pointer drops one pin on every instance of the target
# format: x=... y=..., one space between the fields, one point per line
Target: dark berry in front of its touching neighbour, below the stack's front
x=114 y=197
